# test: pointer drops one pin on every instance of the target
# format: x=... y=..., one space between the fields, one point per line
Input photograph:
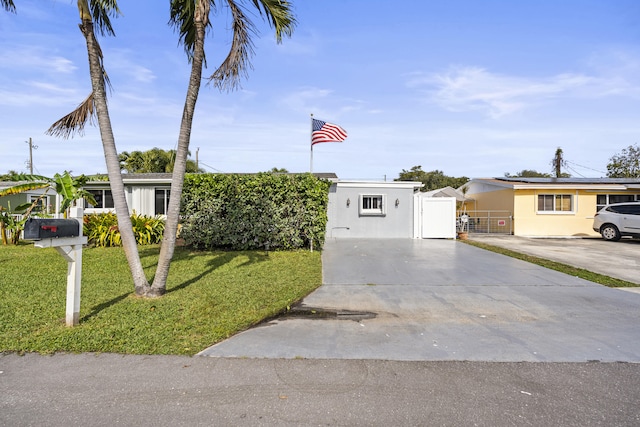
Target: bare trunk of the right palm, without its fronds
x=179 y=169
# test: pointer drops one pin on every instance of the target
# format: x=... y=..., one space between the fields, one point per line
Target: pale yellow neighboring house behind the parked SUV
x=546 y=207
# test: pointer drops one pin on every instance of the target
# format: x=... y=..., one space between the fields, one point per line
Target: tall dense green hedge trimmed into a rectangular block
x=263 y=211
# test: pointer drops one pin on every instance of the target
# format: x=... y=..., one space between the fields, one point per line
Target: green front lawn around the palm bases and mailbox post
x=210 y=296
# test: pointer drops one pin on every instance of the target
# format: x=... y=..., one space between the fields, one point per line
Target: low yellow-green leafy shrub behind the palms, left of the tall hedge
x=102 y=229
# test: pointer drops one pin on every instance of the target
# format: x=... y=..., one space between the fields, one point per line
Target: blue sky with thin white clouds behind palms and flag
x=473 y=88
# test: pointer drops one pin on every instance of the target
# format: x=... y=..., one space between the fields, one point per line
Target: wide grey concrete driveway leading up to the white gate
x=444 y=300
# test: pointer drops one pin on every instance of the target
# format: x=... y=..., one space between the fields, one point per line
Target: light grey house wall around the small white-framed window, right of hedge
x=346 y=218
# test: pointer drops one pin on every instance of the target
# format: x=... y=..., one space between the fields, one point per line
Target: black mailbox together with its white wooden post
x=65 y=235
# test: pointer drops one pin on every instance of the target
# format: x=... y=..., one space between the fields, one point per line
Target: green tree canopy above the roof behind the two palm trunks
x=155 y=160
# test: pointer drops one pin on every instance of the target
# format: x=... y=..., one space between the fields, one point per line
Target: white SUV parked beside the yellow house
x=617 y=220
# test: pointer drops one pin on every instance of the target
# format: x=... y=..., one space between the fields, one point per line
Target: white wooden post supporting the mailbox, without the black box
x=71 y=249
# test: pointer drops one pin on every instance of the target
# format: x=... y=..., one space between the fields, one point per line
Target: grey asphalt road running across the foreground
x=108 y=390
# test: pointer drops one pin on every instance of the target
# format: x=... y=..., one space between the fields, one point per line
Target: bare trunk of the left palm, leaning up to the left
x=111 y=156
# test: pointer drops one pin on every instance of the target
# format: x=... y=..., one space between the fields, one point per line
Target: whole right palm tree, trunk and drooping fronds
x=191 y=18
